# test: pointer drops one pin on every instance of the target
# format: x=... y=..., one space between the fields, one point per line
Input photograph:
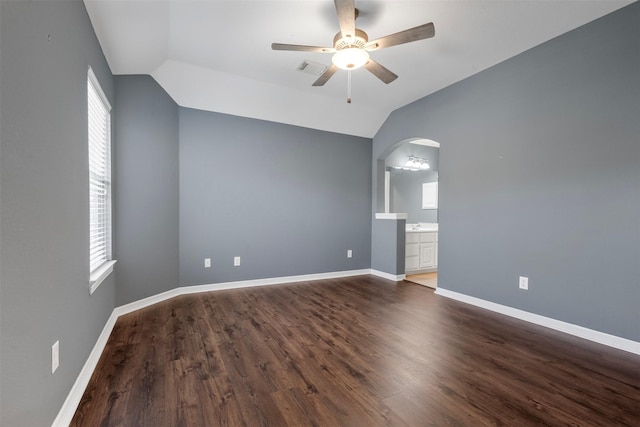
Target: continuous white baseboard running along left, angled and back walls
x=66 y=413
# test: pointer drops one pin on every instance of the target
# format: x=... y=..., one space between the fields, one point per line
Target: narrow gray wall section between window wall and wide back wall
x=145 y=188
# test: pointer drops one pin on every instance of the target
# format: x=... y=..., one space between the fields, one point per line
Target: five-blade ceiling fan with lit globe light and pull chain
x=351 y=46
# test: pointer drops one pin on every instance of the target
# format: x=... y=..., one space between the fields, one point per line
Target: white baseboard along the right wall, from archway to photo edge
x=558 y=325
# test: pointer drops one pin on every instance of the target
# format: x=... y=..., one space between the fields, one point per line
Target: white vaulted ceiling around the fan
x=216 y=54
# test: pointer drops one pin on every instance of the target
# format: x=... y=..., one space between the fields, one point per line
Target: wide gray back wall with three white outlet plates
x=287 y=200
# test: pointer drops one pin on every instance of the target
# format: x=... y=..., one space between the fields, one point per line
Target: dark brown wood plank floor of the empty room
x=360 y=351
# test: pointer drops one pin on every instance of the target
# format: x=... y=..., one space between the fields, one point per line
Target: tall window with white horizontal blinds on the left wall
x=99 y=137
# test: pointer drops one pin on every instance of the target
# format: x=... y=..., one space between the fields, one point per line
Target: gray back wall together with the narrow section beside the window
x=191 y=185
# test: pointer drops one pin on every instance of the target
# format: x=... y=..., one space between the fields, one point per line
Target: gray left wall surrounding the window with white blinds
x=46 y=48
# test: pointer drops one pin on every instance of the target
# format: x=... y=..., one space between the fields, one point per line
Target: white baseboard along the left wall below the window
x=72 y=401
